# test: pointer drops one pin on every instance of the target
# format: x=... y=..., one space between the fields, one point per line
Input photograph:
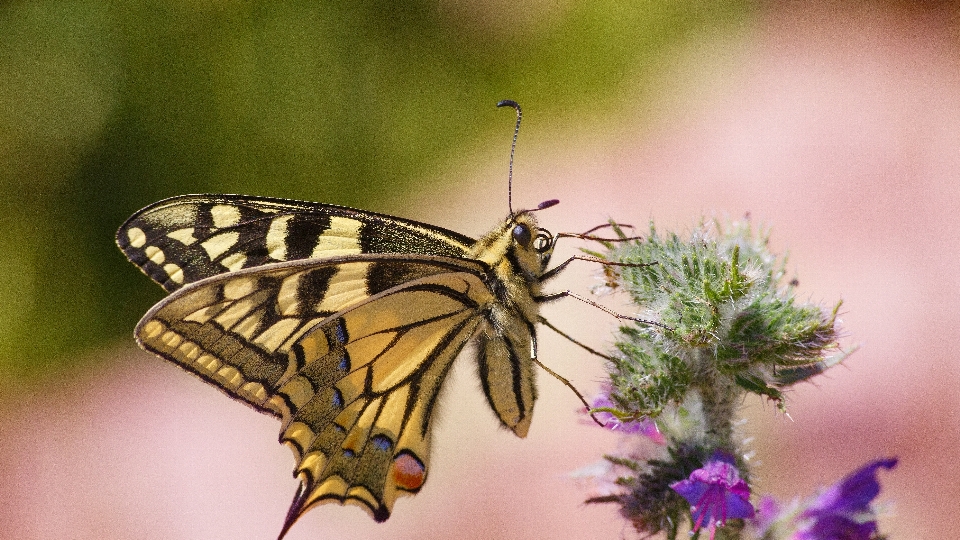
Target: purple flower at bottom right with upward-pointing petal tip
x=842 y=512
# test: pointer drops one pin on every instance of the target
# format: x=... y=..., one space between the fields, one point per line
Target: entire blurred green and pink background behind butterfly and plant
x=837 y=124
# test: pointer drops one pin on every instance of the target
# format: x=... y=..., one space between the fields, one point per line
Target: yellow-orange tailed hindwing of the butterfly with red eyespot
x=364 y=437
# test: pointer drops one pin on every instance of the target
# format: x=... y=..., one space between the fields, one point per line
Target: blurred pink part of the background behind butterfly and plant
x=839 y=128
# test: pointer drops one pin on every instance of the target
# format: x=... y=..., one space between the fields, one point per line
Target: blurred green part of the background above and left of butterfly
x=108 y=106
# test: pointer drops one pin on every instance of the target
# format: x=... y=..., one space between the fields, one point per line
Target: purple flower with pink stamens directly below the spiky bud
x=716 y=493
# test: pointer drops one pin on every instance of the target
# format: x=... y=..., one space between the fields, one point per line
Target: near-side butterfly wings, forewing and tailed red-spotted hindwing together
x=354 y=380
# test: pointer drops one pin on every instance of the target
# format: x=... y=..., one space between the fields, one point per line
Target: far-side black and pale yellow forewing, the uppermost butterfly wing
x=187 y=238
